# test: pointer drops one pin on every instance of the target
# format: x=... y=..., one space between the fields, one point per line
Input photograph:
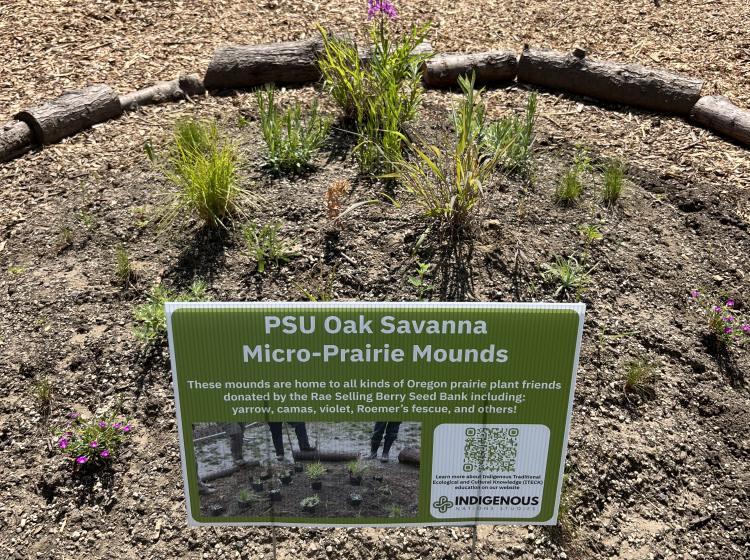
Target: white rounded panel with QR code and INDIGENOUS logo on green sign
x=488 y=470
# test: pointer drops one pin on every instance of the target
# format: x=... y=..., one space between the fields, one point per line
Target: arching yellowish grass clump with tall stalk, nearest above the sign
x=448 y=184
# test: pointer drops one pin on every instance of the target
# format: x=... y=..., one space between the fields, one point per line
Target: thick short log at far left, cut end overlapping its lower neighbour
x=71 y=112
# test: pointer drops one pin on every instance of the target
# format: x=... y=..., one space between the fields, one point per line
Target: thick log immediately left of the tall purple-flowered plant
x=237 y=67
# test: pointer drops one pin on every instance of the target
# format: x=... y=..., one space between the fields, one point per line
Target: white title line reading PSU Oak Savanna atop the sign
x=388 y=325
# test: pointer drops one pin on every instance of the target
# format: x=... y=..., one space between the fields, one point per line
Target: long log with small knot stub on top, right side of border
x=630 y=84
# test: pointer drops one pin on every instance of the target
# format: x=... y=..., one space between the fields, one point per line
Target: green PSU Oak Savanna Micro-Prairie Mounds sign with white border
x=370 y=414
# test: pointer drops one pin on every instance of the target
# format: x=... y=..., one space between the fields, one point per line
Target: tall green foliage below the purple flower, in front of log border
x=378 y=96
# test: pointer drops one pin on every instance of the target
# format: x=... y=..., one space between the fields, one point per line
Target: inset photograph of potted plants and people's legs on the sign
x=308 y=469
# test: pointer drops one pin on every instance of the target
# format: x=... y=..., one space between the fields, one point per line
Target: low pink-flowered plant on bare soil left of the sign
x=92 y=443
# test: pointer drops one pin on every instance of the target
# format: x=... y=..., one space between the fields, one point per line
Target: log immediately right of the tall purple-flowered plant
x=490 y=67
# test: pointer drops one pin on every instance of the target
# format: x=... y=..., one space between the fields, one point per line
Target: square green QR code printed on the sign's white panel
x=491 y=449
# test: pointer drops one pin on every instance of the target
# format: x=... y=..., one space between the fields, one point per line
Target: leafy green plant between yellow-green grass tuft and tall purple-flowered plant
x=291 y=140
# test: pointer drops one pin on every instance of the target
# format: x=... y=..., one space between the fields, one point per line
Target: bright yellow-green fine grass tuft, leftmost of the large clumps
x=203 y=166
